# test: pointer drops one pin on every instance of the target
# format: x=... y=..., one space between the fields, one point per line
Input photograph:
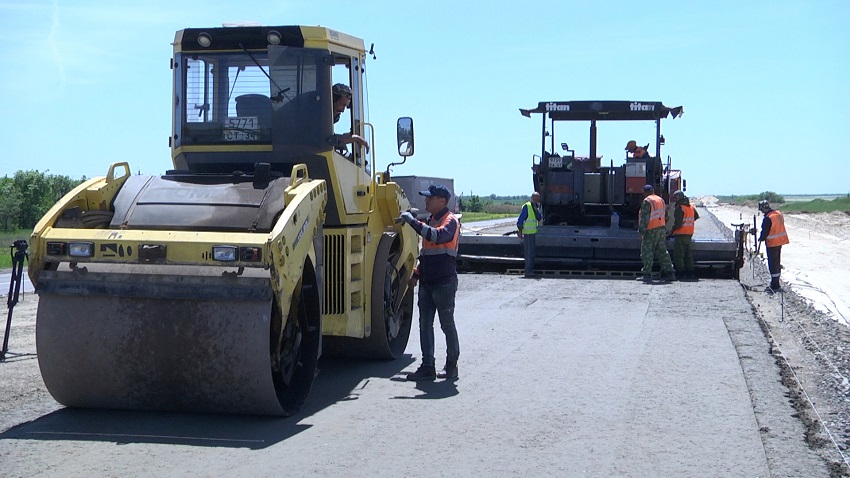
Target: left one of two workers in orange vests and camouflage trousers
x=652 y=226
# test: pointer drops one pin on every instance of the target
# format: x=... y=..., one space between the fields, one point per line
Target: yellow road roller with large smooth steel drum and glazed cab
x=216 y=286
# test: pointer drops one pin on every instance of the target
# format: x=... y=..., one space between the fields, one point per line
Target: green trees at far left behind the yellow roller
x=26 y=197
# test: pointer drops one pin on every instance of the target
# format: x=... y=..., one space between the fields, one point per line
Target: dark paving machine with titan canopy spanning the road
x=590 y=210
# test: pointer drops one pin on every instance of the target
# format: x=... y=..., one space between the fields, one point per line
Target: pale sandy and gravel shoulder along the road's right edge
x=806 y=325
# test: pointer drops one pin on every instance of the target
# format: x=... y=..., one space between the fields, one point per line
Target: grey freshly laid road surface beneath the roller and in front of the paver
x=558 y=377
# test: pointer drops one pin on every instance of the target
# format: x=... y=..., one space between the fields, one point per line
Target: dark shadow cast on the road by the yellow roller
x=337 y=381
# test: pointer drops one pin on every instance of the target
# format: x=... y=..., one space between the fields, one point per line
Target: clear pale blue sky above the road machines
x=86 y=83
